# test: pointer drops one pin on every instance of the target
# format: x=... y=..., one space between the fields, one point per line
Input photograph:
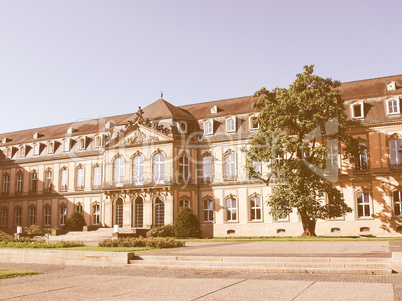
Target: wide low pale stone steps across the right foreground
x=340 y=265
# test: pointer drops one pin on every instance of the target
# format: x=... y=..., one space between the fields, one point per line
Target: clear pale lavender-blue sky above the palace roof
x=68 y=60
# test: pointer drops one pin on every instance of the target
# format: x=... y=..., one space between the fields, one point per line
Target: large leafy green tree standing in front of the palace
x=301 y=131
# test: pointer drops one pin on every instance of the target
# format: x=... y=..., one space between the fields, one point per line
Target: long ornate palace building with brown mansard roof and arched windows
x=138 y=170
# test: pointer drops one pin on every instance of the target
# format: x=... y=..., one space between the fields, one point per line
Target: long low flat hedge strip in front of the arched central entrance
x=152 y=242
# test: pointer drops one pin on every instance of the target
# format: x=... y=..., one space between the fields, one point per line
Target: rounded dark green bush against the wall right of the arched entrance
x=187 y=224
